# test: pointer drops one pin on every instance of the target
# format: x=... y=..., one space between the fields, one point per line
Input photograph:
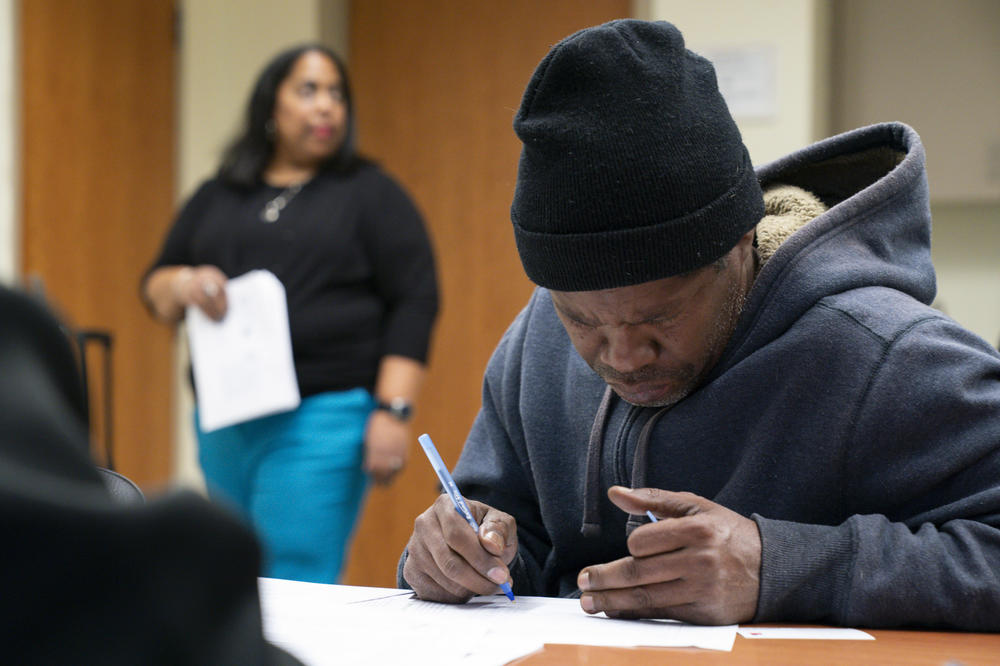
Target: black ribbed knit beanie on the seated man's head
x=632 y=168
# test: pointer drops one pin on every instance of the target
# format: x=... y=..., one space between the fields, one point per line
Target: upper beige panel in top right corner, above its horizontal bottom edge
x=933 y=65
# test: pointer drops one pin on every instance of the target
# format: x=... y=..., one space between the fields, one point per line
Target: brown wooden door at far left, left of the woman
x=97 y=116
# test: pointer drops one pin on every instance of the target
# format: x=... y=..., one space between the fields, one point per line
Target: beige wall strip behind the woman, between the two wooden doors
x=225 y=43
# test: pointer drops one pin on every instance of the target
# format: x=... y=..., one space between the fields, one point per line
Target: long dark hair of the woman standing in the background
x=246 y=158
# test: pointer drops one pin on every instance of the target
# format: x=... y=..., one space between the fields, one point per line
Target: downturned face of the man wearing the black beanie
x=653 y=343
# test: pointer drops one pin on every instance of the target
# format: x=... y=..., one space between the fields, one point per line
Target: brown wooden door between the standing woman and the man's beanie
x=437 y=84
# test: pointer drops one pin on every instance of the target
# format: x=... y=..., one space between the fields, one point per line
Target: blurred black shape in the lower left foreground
x=91 y=573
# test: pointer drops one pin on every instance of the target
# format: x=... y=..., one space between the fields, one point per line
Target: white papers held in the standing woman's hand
x=243 y=366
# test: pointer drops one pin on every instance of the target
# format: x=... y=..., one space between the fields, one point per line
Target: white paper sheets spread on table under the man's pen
x=337 y=624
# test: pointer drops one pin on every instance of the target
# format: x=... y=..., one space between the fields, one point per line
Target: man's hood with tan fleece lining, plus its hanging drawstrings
x=846 y=213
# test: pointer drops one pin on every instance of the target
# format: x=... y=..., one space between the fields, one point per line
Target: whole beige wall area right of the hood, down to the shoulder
x=936 y=66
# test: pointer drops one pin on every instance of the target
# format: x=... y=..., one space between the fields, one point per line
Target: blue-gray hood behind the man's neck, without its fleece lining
x=875 y=231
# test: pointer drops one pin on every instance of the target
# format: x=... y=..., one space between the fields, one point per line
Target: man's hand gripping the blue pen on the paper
x=447 y=561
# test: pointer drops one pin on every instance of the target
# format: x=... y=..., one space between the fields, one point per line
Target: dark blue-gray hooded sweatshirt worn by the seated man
x=858 y=427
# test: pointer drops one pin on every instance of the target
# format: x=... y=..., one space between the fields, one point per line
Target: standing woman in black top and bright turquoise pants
x=293 y=197
